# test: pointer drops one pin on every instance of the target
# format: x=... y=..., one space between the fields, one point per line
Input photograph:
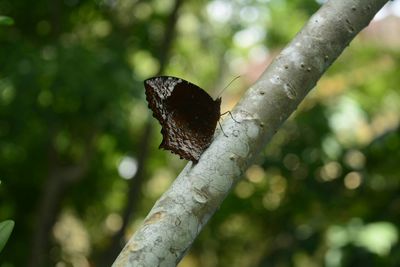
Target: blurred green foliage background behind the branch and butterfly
x=79 y=164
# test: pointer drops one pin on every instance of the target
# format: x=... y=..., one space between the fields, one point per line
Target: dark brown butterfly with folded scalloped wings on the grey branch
x=187 y=114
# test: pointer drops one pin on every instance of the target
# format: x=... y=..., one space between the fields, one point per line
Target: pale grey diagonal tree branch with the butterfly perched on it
x=181 y=212
